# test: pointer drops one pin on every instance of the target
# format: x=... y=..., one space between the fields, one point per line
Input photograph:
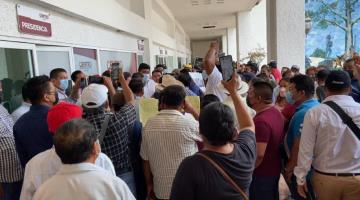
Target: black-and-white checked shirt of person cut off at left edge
x=10 y=168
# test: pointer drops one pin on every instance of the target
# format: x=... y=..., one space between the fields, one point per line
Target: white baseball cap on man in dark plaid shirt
x=94 y=95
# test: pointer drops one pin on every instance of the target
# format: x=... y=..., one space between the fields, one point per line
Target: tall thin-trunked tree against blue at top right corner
x=338 y=13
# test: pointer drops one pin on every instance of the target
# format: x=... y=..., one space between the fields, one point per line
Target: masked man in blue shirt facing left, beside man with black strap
x=302 y=89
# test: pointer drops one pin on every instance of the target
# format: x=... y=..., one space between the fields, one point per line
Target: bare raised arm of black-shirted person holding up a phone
x=244 y=119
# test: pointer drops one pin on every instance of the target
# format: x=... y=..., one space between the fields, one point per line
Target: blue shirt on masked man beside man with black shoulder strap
x=297 y=120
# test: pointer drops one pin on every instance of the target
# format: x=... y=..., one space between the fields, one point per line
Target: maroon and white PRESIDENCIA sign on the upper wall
x=33 y=22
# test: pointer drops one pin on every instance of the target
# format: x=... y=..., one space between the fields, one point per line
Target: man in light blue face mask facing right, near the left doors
x=60 y=80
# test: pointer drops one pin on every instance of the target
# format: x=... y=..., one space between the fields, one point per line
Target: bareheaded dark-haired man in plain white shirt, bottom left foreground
x=77 y=146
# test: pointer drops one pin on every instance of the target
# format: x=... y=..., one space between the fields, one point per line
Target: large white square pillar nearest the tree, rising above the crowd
x=286 y=32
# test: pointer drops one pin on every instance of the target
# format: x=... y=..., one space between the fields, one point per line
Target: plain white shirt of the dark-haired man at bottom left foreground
x=83 y=181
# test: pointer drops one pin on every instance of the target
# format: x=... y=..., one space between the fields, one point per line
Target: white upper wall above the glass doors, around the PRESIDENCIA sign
x=102 y=24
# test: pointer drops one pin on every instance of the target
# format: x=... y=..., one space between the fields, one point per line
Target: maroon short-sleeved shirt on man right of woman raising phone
x=269 y=128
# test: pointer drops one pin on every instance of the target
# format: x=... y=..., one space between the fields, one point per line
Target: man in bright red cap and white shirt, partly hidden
x=45 y=164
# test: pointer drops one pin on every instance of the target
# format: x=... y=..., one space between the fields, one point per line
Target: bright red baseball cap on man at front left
x=61 y=113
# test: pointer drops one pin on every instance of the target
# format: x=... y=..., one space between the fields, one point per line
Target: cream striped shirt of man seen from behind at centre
x=168 y=138
